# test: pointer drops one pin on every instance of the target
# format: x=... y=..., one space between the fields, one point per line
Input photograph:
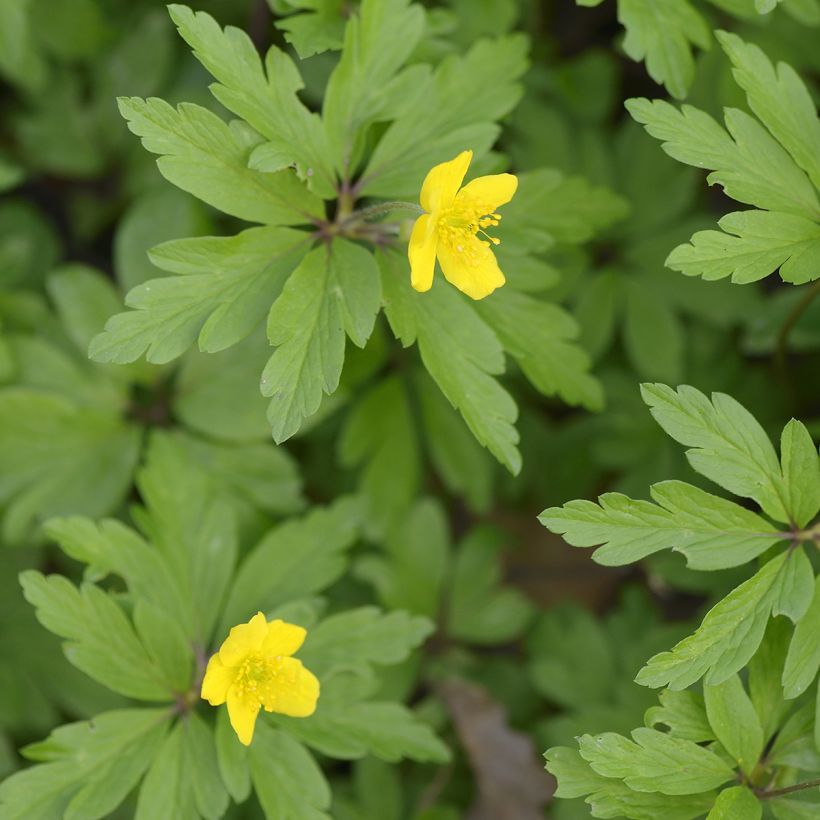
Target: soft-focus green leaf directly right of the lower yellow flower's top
x=363 y=636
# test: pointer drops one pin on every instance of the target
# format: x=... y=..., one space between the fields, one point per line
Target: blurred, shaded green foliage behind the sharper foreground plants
x=549 y=636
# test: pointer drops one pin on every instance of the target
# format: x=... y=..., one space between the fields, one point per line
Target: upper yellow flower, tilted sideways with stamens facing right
x=452 y=227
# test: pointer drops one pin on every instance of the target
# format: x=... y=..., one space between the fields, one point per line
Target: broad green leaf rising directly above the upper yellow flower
x=454 y=107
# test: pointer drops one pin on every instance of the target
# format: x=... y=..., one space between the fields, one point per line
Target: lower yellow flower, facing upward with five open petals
x=254 y=668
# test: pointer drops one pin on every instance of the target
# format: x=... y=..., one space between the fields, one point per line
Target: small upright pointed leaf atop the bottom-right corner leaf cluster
x=733 y=717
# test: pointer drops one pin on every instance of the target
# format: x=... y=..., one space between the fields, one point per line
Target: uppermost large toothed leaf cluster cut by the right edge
x=769 y=162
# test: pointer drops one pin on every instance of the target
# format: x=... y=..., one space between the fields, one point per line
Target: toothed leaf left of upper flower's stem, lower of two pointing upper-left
x=206 y=157
